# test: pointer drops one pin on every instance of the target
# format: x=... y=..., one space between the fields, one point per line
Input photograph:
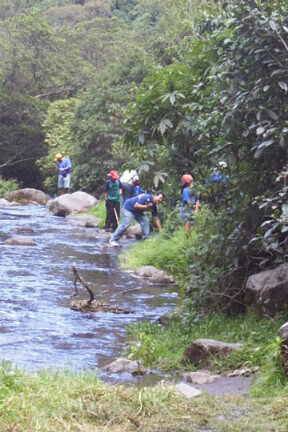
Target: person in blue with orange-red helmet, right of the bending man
x=190 y=202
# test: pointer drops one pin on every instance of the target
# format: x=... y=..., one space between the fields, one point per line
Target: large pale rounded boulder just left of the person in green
x=76 y=202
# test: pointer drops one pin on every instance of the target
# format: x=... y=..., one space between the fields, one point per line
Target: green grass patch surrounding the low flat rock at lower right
x=163 y=347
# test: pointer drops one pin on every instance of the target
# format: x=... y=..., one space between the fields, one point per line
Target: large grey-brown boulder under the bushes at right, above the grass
x=267 y=291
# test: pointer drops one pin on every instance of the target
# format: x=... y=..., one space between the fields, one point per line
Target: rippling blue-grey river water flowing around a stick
x=38 y=330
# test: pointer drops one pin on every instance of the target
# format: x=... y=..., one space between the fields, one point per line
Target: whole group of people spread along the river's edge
x=136 y=202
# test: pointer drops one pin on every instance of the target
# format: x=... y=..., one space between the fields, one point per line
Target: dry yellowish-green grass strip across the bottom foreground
x=64 y=402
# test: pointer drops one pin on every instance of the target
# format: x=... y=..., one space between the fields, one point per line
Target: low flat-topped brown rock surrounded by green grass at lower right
x=201 y=349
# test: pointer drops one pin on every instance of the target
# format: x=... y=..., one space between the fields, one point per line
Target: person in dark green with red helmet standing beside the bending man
x=112 y=195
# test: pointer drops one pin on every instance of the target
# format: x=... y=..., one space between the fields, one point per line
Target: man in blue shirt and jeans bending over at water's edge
x=134 y=209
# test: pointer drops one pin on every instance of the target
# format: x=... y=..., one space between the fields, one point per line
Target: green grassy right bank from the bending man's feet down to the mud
x=163 y=347
